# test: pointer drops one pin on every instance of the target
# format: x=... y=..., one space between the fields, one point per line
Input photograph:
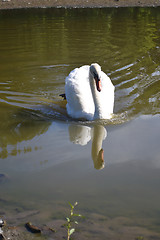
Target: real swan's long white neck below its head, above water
x=96 y=99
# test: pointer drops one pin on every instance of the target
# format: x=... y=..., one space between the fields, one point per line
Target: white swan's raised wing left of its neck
x=78 y=94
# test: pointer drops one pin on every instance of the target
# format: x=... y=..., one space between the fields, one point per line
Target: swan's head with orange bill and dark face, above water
x=95 y=71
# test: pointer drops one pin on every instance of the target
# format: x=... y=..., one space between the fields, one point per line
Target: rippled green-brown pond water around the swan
x=48 y=159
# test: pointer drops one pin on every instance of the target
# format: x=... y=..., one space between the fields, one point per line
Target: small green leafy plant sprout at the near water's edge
x=71 y=220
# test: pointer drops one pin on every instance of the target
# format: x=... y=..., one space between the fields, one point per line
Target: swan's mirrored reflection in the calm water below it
x=81 y=135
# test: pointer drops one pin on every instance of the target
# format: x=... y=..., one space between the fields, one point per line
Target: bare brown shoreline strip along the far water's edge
x=18 y=4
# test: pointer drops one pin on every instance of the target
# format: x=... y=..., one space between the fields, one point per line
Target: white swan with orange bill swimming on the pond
x=89 y=93
